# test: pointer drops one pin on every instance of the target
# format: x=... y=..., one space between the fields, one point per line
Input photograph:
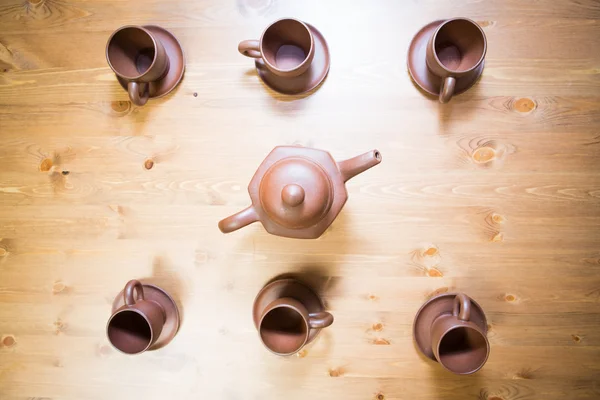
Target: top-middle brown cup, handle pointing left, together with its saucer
x=292 y=57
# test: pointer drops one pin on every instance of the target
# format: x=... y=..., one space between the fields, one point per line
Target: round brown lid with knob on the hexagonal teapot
x=296 y=192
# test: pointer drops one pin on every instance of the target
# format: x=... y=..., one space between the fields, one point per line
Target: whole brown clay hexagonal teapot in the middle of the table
x=297 y=192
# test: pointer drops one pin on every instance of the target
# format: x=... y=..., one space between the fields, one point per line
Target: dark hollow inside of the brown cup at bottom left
x=129 y=332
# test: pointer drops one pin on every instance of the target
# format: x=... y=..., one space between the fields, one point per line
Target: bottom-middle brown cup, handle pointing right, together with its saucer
x=288 y=315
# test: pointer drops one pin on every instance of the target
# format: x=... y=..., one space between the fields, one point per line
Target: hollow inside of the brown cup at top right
x=460 y=45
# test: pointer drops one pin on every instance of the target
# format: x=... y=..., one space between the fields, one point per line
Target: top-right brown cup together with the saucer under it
x=446 y=57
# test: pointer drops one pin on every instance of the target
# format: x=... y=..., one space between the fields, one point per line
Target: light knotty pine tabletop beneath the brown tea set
x=496 y=194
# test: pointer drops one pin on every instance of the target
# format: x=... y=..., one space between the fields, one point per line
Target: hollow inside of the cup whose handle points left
x=286 y=44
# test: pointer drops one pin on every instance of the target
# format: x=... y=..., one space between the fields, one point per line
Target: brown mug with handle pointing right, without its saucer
x=285 y=325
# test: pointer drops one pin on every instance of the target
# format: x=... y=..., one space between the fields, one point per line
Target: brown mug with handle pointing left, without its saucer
x=287 y=47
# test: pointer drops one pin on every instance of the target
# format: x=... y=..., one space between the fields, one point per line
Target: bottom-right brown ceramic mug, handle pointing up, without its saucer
x=458 y=344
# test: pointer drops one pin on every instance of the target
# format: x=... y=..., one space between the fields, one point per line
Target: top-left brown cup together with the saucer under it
x=148 y=61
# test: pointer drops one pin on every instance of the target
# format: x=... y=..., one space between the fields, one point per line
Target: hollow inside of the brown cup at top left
x=131 y=52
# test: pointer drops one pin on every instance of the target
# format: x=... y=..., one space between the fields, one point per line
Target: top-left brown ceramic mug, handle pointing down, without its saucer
x=138 y=57
